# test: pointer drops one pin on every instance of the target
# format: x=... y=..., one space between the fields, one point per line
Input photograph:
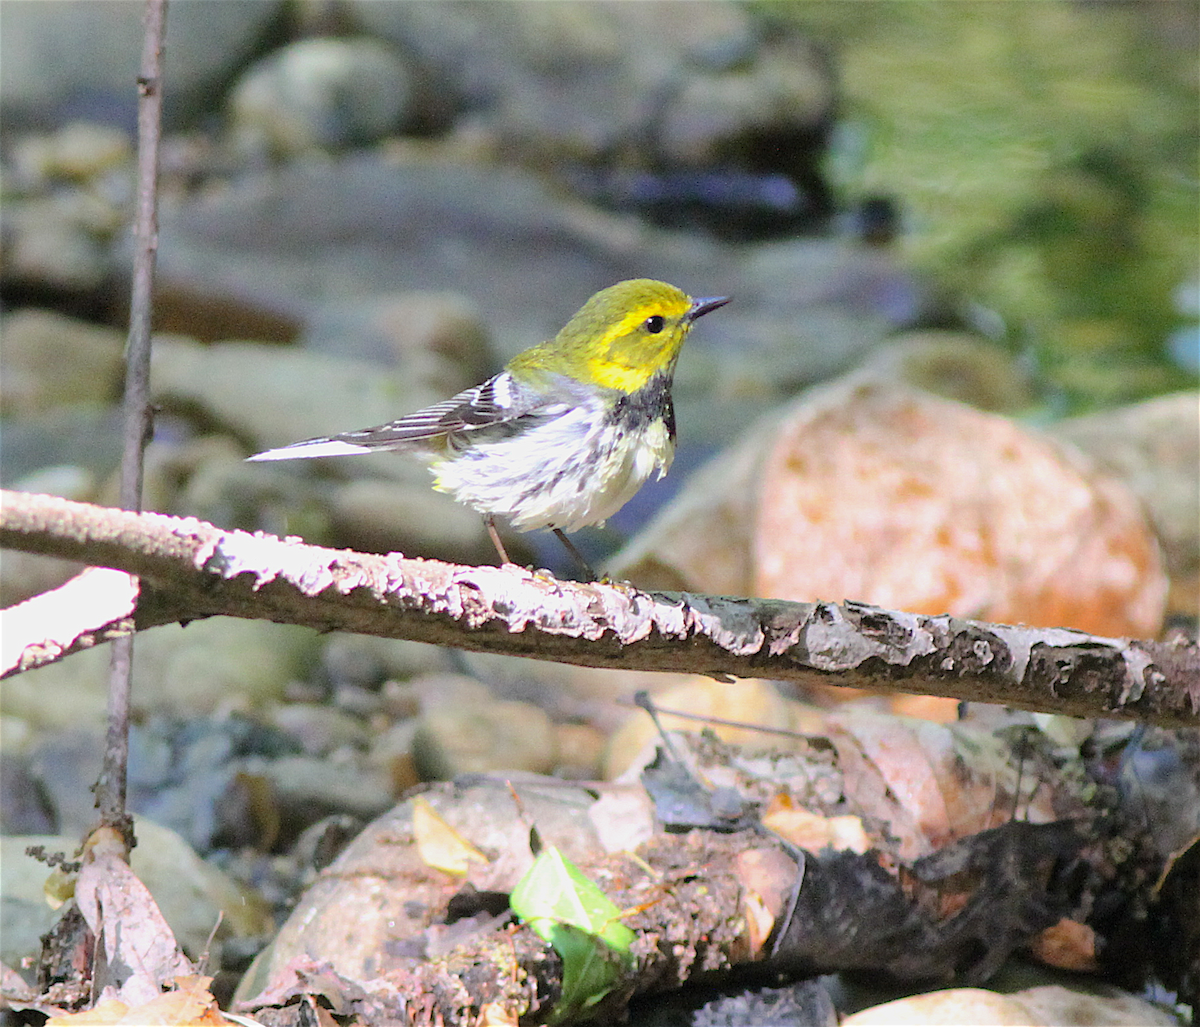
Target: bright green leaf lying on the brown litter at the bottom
x=563 y=908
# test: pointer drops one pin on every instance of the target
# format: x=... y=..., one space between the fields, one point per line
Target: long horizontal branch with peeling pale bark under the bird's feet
x=191 y=569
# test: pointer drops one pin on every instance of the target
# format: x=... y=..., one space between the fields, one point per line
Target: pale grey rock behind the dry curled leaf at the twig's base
x=195 y=897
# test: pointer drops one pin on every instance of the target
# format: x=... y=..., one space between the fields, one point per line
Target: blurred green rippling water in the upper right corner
x=1046 y=155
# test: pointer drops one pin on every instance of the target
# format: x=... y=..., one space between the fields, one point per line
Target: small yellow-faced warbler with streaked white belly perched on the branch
x=568 y=431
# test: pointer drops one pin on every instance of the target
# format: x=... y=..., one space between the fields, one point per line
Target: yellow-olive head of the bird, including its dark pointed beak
x=622 y=338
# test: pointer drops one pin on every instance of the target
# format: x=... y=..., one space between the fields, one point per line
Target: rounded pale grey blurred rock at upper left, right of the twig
x=321 y=94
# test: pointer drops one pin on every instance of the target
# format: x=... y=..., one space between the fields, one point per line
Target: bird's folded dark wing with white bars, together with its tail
x=497 y=401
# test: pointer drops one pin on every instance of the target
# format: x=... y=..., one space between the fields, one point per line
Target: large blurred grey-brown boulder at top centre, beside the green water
x=677 y=85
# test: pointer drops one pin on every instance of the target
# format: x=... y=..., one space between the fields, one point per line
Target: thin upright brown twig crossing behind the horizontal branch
x=137 y=413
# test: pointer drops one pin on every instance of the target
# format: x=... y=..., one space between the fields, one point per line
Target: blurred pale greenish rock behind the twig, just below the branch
x=218 y=664
